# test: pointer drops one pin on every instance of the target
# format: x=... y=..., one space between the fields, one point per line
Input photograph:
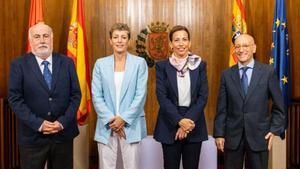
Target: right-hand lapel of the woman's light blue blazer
x=129 y=67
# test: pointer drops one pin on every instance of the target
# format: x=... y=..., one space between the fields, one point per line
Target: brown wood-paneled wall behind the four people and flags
x=209 y=22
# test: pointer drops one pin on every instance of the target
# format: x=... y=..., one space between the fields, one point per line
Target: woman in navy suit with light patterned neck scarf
x=182 y=90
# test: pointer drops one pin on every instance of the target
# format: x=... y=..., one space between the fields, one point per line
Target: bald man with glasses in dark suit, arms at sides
x=243 y=123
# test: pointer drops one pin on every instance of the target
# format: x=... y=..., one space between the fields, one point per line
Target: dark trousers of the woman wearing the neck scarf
x=189 y=151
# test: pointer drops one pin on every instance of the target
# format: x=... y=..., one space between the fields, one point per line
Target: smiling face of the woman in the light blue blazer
x=119 y=41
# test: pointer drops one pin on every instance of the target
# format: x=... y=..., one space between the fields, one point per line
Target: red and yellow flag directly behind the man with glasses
x=238 y=25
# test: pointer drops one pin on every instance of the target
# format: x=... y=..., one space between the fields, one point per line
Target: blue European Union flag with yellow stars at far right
x=280 y=52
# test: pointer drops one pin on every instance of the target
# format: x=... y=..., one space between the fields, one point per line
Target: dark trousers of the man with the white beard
x=57 y=155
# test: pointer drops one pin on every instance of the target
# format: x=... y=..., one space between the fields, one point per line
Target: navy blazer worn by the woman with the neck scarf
x=170 y=113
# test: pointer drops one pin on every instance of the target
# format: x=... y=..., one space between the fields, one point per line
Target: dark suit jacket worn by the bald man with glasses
x=237 y=112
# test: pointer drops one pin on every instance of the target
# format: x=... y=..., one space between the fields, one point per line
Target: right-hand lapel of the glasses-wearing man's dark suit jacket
x=256 y=75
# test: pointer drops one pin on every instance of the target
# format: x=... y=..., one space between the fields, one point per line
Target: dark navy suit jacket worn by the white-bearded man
x=33 y=102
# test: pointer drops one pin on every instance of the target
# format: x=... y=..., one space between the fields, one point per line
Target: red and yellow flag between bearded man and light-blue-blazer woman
x=77 y=50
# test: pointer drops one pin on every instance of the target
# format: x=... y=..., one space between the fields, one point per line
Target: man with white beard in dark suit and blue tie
x=44 y=93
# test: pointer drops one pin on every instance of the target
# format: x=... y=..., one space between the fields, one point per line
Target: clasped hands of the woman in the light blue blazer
x=117 y=125
